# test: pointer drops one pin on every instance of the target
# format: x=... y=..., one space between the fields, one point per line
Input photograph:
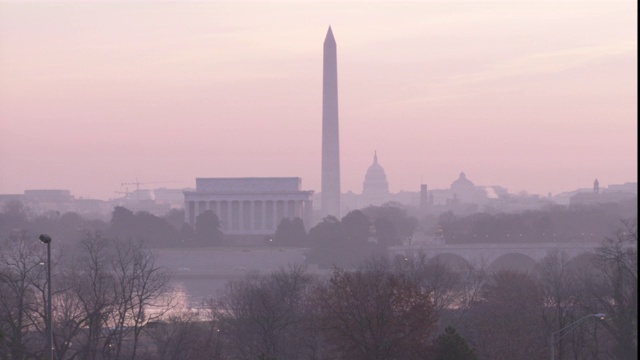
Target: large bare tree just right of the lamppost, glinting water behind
x=113 y=289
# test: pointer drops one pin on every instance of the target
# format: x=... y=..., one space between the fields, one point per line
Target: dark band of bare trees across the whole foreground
x=111 y=301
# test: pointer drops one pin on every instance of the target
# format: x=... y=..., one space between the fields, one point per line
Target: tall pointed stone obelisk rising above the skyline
x=330 y=189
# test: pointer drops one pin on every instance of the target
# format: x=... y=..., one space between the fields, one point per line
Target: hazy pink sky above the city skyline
x=532 y=95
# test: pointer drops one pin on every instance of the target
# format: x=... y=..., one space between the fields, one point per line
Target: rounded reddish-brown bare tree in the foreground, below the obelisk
x=373 y=313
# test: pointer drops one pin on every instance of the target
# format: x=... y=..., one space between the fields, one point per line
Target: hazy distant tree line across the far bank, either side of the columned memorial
x=365 y=231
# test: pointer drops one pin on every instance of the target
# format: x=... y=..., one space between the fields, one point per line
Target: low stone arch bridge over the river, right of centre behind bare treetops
x=497 y=256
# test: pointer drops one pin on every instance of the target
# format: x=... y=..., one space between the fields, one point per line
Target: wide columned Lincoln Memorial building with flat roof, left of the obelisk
x=249 y=206
